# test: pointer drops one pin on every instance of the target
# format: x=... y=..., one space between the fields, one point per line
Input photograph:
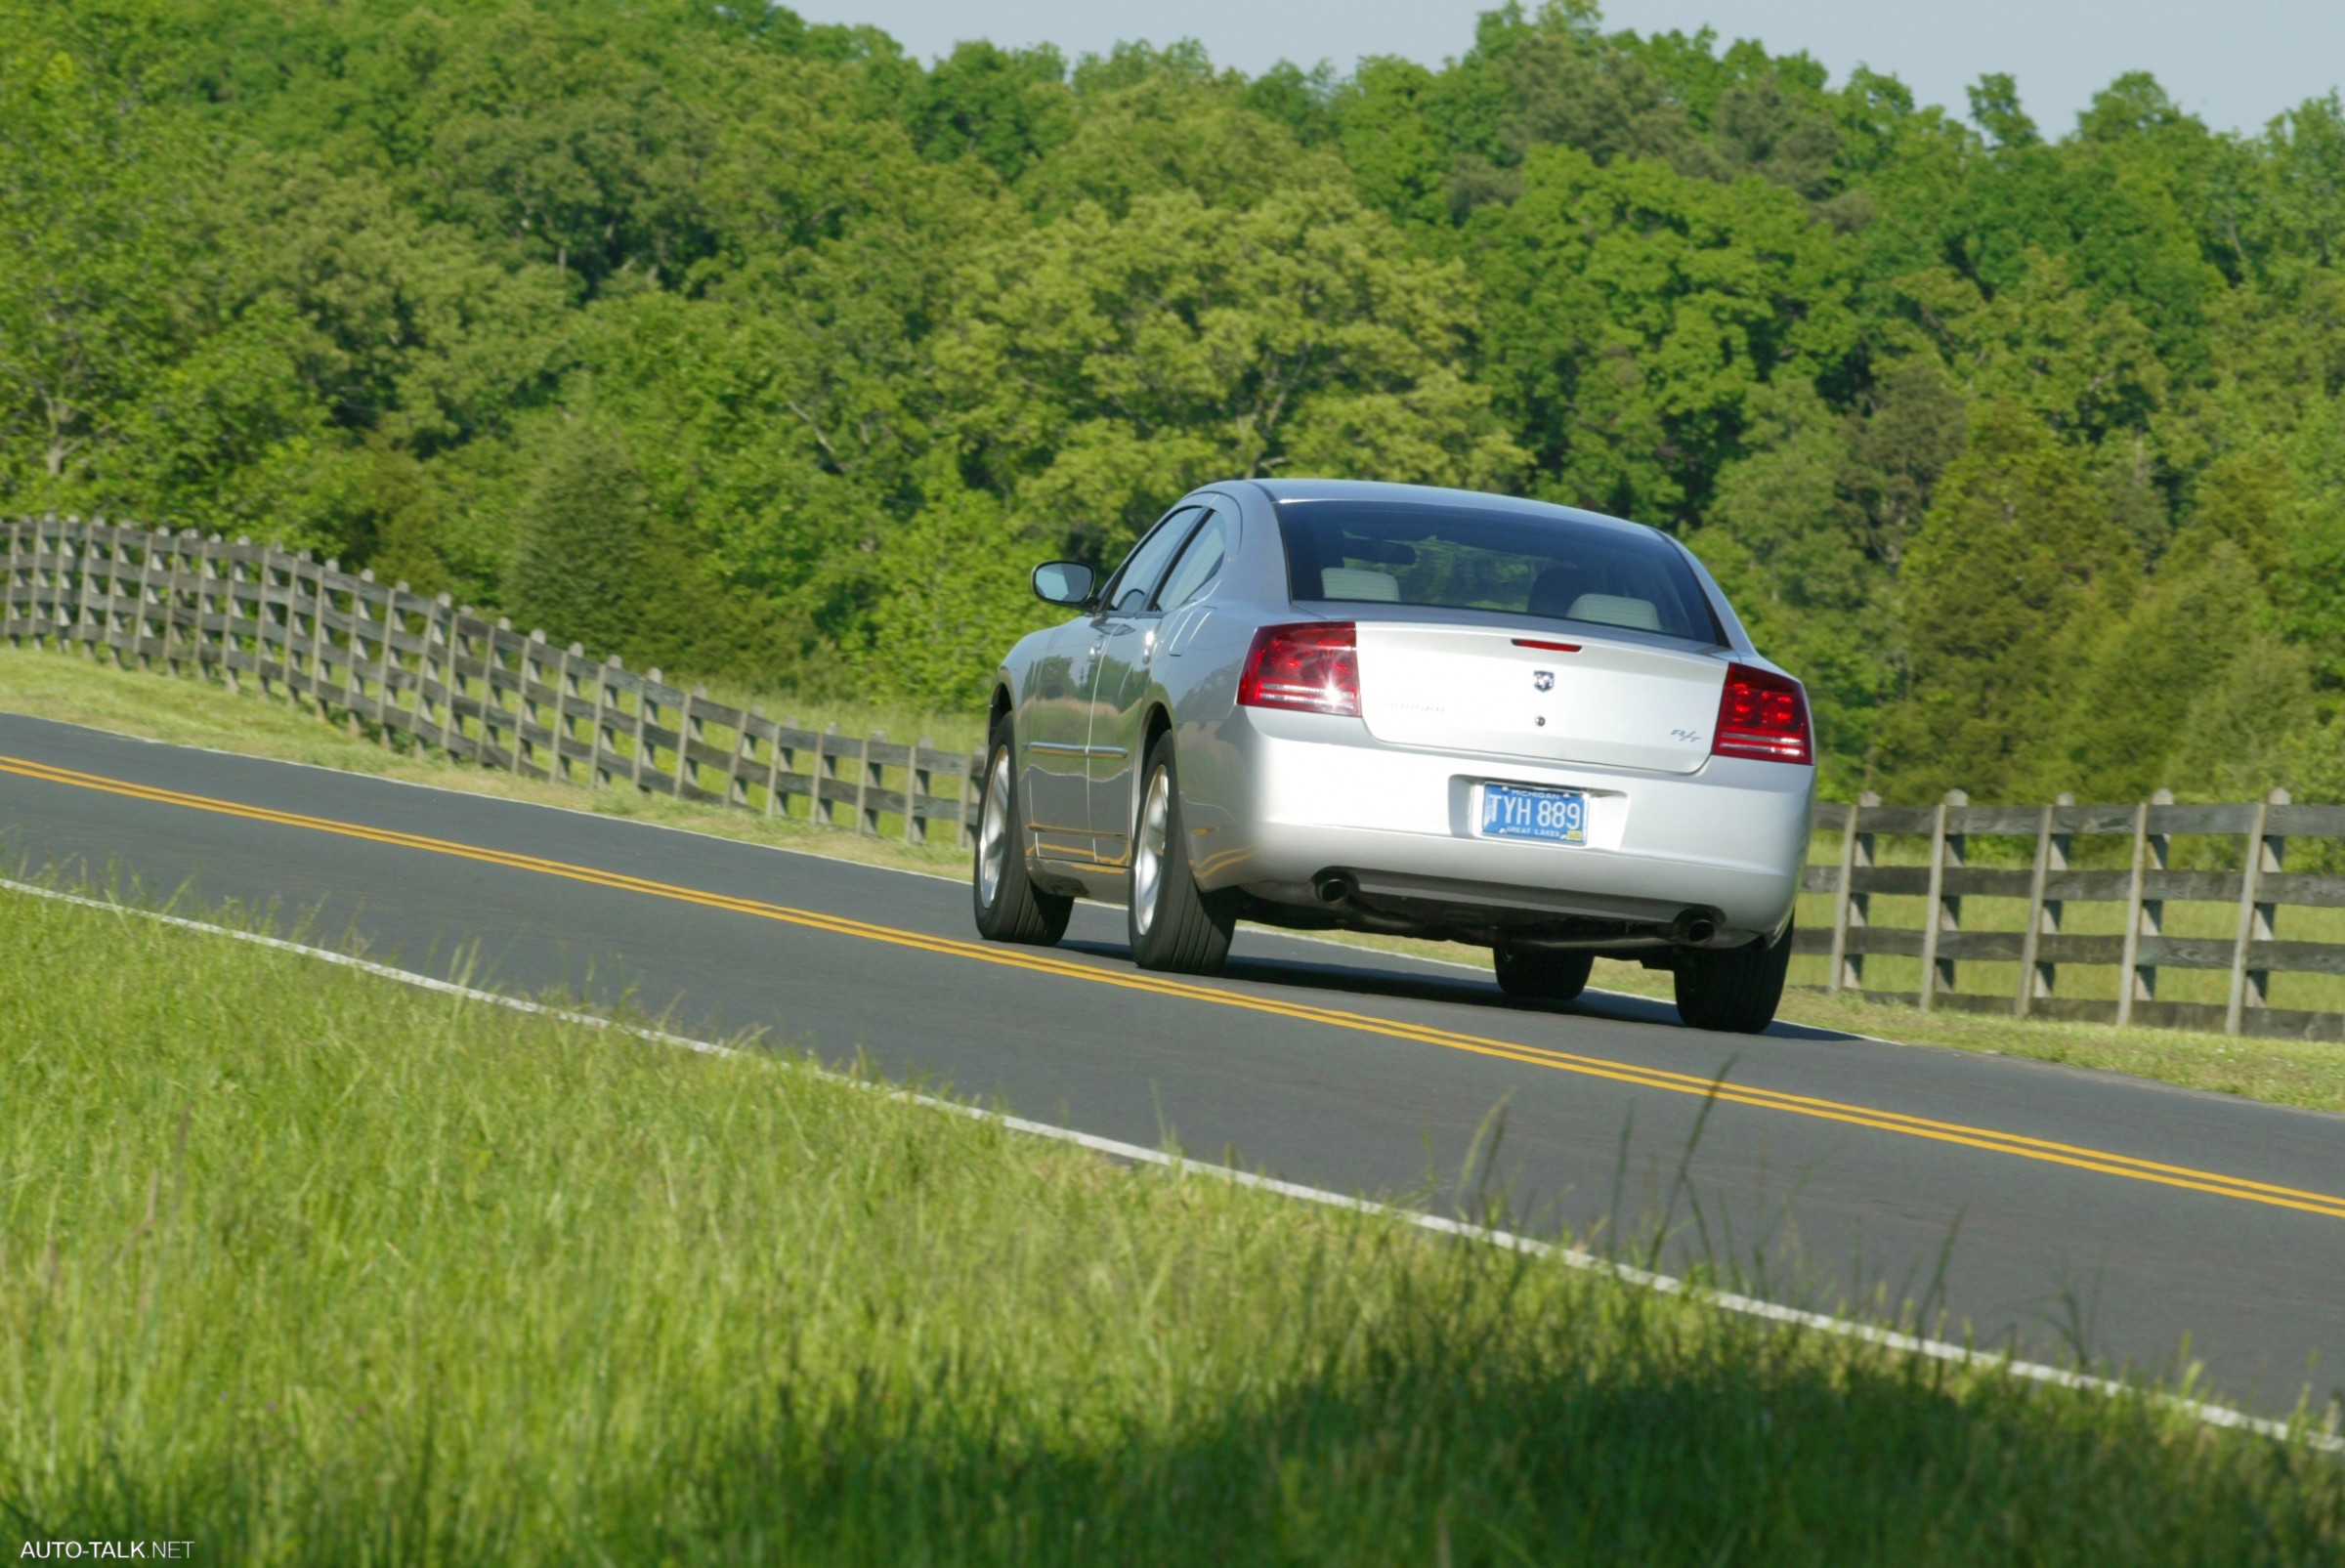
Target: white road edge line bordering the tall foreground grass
x=2323 y=1440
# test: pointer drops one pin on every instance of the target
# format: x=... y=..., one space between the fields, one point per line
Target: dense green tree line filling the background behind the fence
x=756 y=348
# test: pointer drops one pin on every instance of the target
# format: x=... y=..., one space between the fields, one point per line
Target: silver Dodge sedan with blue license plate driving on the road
x=1413 y=711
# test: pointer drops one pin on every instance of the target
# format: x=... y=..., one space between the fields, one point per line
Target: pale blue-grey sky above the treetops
x=2231 y=64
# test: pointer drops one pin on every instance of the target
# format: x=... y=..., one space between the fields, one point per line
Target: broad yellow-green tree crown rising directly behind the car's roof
x=1099 y=362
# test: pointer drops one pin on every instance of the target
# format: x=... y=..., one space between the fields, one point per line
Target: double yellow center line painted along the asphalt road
x=1188 y=990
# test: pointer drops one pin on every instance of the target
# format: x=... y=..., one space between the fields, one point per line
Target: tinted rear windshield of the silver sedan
x=1509 y=561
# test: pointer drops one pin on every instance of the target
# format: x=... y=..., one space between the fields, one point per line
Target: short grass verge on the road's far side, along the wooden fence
x=203 y=714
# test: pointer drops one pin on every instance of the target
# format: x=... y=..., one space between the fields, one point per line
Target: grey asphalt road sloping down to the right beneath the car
x=2041 y=1208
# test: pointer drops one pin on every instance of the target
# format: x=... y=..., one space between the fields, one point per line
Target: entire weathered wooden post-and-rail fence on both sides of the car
x=456 y=681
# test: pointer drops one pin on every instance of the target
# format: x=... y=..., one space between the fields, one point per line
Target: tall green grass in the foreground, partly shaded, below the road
x=311 y=1267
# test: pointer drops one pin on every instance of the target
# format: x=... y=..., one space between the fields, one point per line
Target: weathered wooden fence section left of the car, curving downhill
x=451 y=679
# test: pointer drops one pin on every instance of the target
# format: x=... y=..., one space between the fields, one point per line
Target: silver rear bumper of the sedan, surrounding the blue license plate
x=1279 y=798
